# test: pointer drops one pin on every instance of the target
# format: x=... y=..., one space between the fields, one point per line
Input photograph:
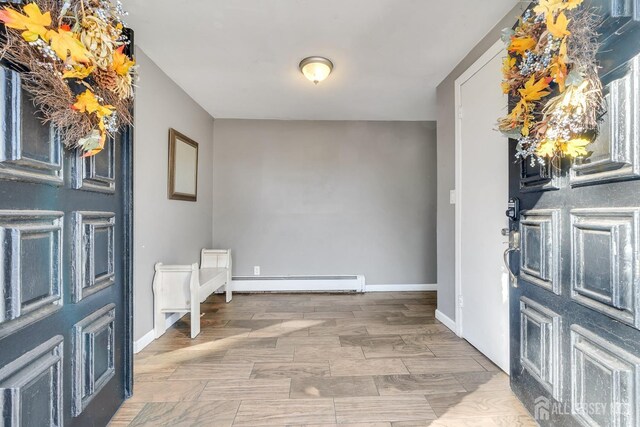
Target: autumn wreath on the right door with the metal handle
x=551 y=73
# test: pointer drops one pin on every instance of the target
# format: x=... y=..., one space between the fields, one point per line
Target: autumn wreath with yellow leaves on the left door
x=73 y=62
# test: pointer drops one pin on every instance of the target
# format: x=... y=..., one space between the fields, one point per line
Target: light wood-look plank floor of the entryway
x=377 y=359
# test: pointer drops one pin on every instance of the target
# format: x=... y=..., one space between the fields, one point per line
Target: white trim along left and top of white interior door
x=495 y=49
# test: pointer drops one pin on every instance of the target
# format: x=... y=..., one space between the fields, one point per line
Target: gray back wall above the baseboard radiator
x=325 y=197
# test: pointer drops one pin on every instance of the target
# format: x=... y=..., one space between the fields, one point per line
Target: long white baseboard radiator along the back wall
x=354 y=283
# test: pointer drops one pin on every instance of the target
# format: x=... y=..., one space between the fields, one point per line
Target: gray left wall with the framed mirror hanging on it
x=165 y=230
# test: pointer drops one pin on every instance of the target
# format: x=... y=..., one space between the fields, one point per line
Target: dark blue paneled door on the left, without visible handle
x=64 y=272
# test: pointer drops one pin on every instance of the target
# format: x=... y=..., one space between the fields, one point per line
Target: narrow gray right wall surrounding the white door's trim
x=446 y=164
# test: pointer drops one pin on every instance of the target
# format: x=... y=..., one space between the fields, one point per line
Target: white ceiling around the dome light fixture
x=239 y=58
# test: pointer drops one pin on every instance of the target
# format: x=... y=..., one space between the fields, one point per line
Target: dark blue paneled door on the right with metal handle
x=575 y=315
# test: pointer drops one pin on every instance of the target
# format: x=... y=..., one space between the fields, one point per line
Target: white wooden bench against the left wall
x=181 y=288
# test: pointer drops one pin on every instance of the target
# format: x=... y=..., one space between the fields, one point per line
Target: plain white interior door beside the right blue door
x=482 y=182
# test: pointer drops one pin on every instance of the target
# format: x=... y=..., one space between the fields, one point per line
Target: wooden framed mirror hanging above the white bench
x=183 y=167
